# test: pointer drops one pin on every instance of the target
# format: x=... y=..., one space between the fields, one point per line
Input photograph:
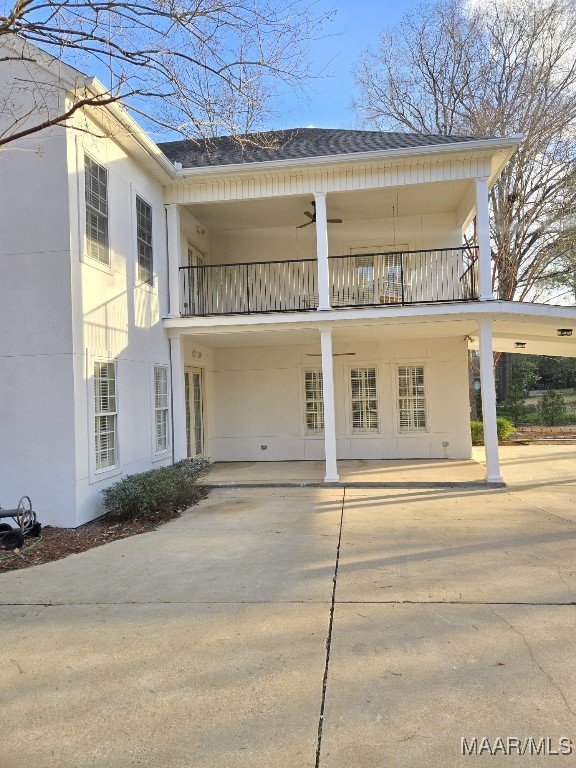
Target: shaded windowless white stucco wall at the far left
x=36 y=371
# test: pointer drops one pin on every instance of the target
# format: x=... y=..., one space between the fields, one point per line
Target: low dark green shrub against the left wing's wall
x=165 y=488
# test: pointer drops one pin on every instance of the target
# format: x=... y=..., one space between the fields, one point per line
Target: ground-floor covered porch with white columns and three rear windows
x=379 y=397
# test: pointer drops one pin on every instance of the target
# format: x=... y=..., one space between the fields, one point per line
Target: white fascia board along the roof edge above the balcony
x=355 y=157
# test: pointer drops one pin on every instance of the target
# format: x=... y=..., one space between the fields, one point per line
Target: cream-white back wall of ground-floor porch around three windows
x=257 y=399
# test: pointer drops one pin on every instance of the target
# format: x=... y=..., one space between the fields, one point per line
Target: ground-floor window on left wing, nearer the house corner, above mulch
x=105 y=421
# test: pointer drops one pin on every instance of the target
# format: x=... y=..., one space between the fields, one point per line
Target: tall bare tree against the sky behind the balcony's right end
x=487 y=69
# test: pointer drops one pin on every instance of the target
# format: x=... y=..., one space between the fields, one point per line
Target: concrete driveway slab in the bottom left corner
x=215 y=686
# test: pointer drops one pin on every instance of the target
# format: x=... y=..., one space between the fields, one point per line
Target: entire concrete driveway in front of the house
x=363 y=628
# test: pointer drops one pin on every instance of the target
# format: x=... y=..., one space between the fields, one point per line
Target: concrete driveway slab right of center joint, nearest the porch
x=450 y=546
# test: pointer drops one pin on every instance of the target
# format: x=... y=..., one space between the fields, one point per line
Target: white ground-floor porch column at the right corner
x=489 y=402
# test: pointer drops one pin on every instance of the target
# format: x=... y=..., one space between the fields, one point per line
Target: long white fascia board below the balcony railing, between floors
x=413 y=313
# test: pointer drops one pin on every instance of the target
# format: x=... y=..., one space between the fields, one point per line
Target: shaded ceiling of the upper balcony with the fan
x=416 y=199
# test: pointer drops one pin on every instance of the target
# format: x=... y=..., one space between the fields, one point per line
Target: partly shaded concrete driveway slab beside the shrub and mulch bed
x=260 y=547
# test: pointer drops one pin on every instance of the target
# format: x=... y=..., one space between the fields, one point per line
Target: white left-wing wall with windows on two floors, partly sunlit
x=116 y=317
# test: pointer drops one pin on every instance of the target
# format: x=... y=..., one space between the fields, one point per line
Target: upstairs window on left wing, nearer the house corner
x=96 y=194
